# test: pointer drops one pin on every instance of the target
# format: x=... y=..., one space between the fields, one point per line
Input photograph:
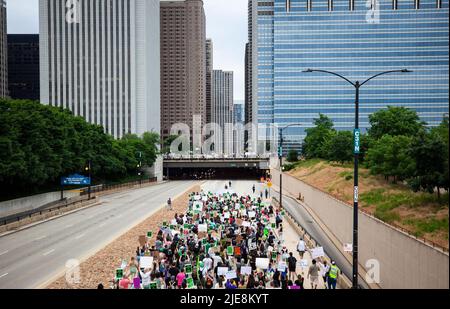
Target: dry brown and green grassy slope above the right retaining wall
x=421 y=214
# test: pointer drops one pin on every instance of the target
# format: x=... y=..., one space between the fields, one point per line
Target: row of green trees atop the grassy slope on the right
x=398 y=146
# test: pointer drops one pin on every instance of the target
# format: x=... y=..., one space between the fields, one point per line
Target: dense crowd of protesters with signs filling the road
x=223 y=241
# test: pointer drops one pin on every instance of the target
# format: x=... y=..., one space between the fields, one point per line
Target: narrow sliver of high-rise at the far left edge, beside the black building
x=3 y=51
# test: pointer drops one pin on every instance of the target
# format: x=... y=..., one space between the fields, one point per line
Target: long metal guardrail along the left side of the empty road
x=57 y=205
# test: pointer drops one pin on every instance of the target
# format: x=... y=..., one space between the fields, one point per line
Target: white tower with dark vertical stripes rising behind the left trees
x=100 y=59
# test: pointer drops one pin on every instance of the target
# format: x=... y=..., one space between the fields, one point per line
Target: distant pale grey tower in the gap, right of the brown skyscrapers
x=222 y=109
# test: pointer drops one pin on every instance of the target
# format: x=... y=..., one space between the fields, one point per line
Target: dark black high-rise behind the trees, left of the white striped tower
x=23 y=66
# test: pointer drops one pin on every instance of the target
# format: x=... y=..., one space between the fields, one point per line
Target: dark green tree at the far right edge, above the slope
x=430 y=152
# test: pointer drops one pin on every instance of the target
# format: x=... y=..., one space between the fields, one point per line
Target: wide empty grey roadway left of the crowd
x=33 y=256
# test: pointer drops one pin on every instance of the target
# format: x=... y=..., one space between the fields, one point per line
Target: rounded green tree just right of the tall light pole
x=390 y=157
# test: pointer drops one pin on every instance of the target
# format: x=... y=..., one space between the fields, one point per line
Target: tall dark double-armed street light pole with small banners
x=357 y=86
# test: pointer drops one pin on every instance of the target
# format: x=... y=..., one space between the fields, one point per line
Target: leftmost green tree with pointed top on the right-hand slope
x=317 y=137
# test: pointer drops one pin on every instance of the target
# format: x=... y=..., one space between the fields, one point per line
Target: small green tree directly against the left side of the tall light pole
x=339 y=148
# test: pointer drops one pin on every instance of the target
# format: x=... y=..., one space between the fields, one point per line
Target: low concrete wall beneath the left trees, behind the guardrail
x=12 y=207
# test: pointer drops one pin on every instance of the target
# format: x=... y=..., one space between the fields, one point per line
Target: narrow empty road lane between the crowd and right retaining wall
x=312 y=228
